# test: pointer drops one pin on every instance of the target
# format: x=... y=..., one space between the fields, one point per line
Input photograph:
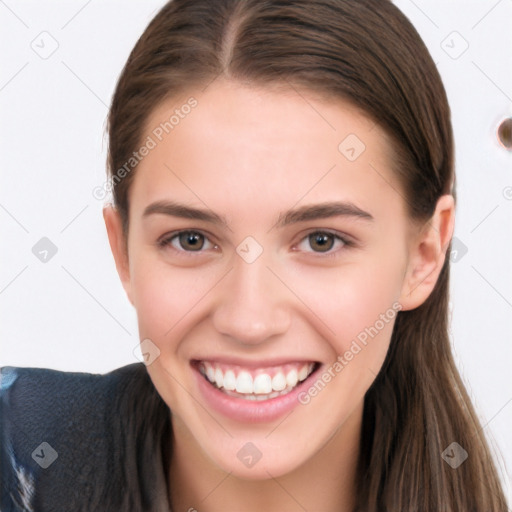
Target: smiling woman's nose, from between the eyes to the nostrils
x=252 y=304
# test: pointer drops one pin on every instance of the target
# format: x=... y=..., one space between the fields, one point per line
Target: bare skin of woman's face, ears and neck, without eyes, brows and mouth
x=249 y=154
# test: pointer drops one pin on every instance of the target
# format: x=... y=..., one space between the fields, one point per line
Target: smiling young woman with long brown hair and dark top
x=283 y=185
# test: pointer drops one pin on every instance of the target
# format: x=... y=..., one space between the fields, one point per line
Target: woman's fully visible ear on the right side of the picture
x=427 y=254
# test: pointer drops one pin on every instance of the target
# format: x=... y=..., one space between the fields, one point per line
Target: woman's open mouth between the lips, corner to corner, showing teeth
x=256 y=384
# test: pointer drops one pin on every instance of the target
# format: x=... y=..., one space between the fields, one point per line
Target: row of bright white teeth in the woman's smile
x=261 y=387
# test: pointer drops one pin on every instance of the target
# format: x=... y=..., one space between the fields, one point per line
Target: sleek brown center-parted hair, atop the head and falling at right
x=368 y=53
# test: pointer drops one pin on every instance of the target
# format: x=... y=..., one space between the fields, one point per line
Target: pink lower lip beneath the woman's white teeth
x=250 y=411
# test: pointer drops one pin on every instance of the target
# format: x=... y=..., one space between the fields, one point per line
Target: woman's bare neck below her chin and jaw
x=324 y=482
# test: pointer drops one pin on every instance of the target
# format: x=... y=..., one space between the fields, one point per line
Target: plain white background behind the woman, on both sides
x=71 y=313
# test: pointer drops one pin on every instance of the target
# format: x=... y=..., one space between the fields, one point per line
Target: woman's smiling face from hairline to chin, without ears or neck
x=278 y=246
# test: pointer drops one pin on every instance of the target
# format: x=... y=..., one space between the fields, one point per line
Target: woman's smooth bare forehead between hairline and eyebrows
x=241 y=146
